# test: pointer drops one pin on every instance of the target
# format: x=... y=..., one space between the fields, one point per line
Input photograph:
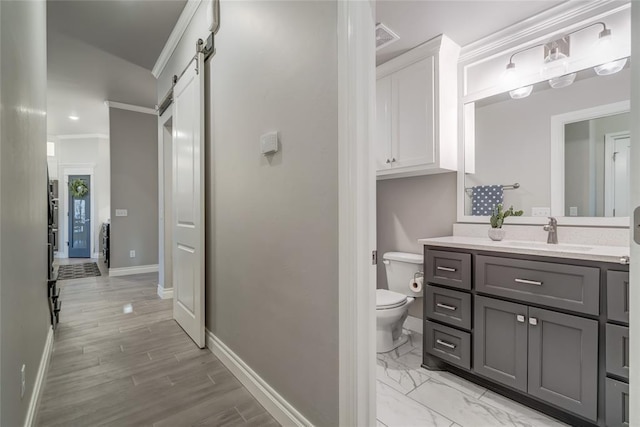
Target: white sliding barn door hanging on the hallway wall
x=188 y=202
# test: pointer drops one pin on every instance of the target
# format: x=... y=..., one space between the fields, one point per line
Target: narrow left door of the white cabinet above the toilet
x=383 y=123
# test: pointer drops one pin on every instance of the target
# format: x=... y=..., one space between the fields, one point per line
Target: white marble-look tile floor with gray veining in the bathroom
x=409 y=395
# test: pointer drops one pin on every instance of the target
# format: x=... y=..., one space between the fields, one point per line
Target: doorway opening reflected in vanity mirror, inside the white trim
x=596 y=169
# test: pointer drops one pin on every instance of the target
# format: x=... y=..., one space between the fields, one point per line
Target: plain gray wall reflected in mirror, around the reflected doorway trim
x=513 y=137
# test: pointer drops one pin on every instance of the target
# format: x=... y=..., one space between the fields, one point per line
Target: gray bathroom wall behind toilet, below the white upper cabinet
x=409 y=209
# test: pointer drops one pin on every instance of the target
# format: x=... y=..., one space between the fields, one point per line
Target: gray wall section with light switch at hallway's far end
x=134 y=186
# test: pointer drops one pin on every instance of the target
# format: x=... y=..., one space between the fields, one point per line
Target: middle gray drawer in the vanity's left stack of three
x=448 y=306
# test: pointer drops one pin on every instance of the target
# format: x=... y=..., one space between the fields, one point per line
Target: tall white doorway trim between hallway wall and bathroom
x=356 y=212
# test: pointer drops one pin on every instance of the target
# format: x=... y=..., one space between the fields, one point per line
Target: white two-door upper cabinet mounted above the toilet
x=417 y=111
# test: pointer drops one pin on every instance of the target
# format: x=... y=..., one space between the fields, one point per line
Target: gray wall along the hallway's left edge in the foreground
x=24 y=315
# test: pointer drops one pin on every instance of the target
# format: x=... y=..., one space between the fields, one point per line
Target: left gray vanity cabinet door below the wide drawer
x=500 y=342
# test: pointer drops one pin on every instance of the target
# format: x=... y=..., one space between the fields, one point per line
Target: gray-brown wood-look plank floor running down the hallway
x=120 y=359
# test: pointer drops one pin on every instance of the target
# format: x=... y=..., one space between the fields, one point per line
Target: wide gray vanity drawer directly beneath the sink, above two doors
x=568 y=287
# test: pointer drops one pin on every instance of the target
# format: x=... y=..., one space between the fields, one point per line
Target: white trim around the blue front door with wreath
x=65 y=171
